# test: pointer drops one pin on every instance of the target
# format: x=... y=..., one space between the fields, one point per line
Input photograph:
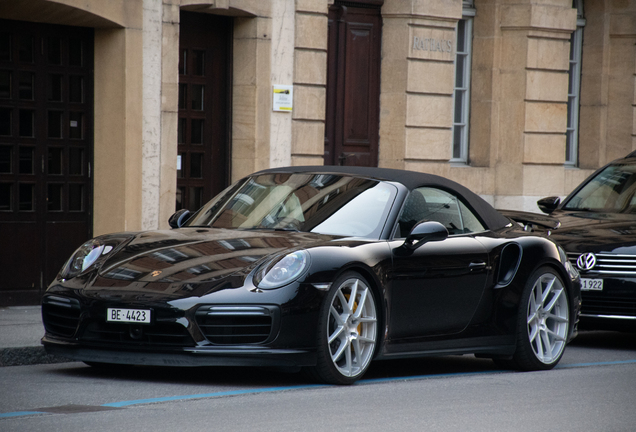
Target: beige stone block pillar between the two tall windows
x=530 y=82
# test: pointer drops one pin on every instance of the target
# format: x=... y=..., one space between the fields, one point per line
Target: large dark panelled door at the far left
x=46 y=117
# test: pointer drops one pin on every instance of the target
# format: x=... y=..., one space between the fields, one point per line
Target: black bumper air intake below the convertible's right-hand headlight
x=237 y=325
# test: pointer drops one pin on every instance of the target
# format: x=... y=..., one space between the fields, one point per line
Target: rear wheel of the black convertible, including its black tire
x=543 y=323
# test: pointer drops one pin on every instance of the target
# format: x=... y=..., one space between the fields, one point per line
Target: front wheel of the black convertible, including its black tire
x=347 y=331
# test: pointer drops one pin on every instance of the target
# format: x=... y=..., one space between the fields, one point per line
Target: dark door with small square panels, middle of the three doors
x=203 y=159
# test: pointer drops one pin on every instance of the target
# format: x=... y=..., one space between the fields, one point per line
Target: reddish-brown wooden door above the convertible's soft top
x=353 y=86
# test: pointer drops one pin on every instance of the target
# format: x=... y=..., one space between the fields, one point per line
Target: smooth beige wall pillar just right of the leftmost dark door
x=118 y=128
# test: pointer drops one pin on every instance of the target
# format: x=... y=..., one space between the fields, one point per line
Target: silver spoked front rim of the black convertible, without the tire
x=352 y=327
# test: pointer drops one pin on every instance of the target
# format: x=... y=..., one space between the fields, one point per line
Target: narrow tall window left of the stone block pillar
x=461 y=95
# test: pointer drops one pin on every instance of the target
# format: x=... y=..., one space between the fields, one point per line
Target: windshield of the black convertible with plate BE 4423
x=319 y=203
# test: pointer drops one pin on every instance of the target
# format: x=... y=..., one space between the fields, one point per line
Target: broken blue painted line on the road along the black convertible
x=122 y=404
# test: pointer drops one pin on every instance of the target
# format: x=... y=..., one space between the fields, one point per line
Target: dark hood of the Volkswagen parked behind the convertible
x=596 y=232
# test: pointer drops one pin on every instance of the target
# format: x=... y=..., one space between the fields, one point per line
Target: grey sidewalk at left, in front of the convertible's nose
x=20 y=332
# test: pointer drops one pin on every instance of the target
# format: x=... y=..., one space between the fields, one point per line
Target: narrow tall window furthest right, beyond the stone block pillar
x=574 y=87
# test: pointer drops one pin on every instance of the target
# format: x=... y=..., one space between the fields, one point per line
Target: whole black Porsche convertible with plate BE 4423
x=325 y=268
